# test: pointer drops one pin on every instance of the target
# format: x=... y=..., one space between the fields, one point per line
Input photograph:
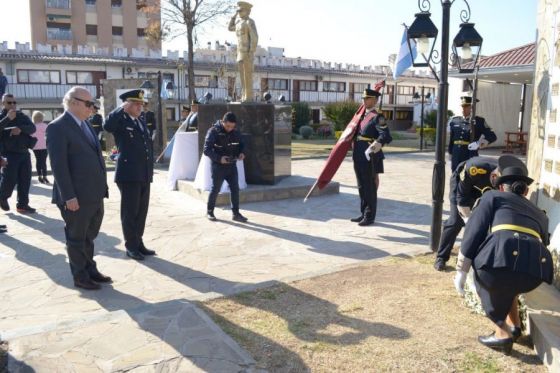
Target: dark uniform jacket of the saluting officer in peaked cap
x=136 y=158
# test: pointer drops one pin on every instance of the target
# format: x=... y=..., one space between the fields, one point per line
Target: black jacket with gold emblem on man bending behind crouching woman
x=472 y=178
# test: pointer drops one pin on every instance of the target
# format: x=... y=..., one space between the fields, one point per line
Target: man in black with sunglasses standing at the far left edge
x=15 y=142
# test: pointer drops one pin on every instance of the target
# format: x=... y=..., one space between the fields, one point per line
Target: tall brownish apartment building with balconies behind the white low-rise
x=111 y=25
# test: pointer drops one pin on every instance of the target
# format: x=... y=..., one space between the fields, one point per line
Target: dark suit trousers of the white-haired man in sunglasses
x=81 y=228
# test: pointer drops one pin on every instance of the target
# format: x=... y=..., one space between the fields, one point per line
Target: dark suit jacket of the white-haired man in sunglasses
x=77 y=164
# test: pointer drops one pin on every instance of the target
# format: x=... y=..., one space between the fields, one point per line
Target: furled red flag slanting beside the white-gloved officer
x=338 y=152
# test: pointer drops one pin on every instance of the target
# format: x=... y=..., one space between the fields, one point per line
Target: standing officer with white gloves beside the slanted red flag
x=371 y=135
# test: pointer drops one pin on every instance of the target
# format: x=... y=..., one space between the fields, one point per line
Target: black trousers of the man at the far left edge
x=17 y=172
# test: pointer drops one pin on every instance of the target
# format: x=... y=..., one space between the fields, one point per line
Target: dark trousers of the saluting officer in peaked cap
x=135 y=199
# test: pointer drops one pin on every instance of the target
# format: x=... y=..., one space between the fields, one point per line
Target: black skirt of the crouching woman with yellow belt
x=498 y=287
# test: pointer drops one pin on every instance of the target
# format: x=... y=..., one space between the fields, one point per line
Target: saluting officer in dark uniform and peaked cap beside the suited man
x=134 y=171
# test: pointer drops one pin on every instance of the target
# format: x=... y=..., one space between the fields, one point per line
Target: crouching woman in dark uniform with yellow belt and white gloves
x=505 y=243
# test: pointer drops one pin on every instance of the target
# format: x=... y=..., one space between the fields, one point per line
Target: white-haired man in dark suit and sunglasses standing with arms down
x=80 y=184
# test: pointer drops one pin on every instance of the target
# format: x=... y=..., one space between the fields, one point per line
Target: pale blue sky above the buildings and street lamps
x=353 y=31
